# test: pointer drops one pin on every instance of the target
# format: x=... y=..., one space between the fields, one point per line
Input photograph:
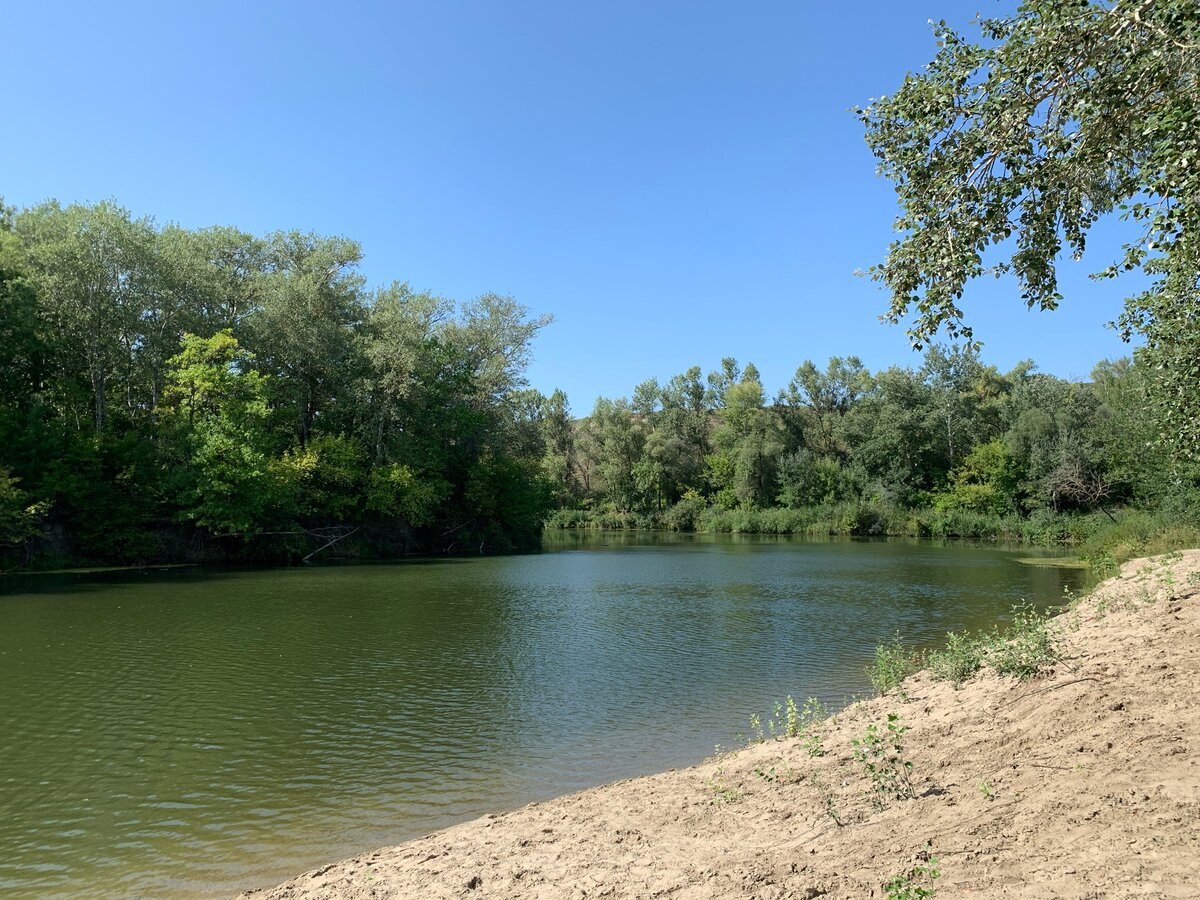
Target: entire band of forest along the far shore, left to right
x=177 y=394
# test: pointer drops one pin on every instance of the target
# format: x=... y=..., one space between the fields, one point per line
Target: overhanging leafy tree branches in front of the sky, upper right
x=1064 y=112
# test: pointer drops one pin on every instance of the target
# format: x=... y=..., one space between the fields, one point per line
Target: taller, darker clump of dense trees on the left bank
x=179 y=394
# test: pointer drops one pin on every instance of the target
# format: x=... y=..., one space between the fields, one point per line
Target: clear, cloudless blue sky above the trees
x=674 y=182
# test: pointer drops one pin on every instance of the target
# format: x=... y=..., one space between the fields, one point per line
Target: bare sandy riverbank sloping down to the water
x=1082 y=783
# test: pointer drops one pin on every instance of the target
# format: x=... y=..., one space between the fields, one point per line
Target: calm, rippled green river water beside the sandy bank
x=193 y=734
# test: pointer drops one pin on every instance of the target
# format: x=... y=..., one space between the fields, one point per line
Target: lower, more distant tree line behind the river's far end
x=951 y=447
